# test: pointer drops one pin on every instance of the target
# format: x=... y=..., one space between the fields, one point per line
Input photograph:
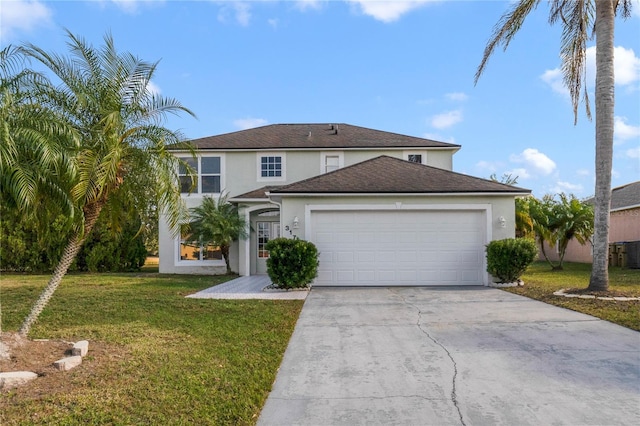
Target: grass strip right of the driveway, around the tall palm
x=541 y=282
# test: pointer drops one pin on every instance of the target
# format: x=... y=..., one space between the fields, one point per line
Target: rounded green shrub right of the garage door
x=508 y=259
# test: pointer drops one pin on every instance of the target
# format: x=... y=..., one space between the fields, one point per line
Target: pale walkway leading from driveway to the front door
x=251 y=287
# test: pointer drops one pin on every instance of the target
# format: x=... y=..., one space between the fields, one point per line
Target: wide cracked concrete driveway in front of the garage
x=452 y=356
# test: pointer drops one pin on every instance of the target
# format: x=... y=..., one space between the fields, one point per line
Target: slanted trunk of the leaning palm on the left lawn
x=91 y=213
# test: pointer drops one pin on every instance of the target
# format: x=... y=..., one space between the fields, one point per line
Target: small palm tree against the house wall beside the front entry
x=216 y=223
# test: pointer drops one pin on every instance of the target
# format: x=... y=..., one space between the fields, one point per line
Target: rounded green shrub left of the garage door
x=292 y=263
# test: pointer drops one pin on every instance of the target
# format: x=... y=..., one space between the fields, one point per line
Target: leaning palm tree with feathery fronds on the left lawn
x=105 y=96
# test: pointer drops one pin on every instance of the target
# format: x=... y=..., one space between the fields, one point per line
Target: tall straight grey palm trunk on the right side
x=605 y=81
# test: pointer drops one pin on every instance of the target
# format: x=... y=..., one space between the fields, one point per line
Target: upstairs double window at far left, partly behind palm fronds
x=207 y=178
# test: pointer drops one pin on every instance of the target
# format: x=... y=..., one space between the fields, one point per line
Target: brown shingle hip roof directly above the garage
x=391 y=175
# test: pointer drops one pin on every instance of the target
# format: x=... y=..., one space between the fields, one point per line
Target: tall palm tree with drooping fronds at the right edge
x=578 y=25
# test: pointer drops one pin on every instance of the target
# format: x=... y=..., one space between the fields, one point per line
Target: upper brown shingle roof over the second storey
x=313 y=136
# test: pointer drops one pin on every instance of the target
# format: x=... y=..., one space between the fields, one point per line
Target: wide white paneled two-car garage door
x=403 y=248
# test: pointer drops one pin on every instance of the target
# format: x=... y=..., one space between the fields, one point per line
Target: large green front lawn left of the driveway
x=173 y=360
